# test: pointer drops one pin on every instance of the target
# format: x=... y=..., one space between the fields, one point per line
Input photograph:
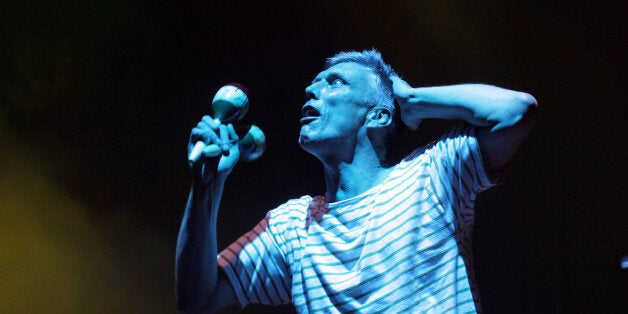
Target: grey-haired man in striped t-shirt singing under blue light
x=389 y=235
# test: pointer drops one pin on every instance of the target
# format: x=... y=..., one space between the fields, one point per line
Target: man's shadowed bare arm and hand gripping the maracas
x=199 y=287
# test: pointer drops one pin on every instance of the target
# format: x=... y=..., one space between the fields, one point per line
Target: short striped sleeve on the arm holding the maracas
x=256 y=268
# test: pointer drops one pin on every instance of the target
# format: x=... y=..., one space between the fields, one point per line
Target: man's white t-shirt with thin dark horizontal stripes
x=402 y=246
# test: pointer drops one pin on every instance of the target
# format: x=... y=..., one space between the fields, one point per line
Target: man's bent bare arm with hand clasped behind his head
x=504 y=116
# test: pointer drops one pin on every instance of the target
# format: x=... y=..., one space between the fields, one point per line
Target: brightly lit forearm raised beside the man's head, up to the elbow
x=477 y=104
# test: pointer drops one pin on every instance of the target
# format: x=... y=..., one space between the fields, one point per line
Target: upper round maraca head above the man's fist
x=230 y=103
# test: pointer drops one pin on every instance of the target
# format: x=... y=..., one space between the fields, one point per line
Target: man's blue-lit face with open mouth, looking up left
x=335 y=112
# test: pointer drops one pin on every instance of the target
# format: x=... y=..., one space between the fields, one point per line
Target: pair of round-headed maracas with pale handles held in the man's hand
x=229 y=104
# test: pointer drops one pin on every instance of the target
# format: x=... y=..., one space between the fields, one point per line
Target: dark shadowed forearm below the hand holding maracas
x=196 y=262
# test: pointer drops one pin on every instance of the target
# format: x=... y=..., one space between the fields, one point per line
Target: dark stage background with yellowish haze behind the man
x=98 y=98
